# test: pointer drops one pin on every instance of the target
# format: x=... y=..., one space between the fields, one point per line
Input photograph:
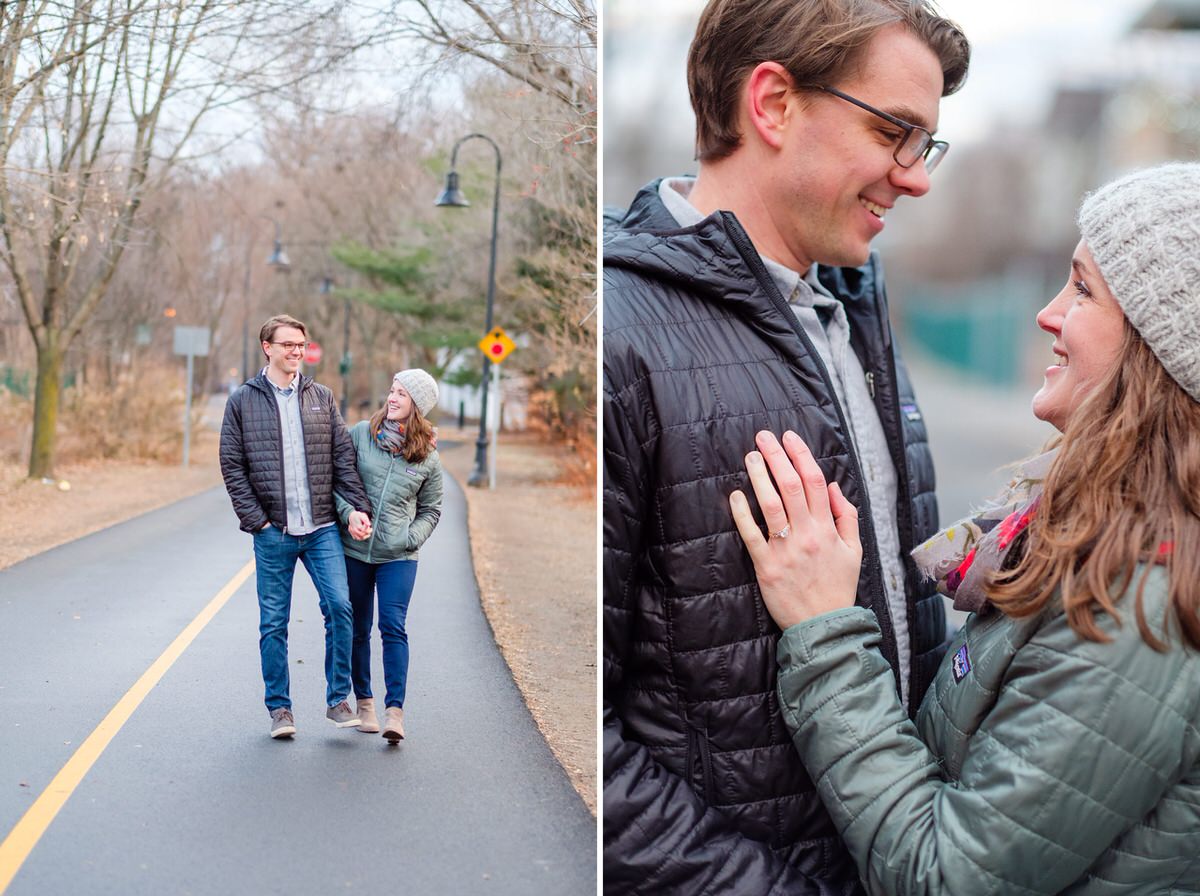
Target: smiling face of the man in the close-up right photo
x=836 y=177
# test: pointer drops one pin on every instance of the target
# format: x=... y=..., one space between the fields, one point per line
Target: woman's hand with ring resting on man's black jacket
x=809 y=563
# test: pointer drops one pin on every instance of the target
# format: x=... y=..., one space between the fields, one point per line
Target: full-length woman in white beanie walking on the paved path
x=403 y=473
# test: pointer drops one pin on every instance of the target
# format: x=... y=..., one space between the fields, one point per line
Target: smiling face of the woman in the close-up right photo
x=1089 y=328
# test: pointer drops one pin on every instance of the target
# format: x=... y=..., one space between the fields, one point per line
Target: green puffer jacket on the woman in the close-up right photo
x=1040 y=763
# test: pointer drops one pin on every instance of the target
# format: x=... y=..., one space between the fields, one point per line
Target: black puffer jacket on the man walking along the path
x=253 y=455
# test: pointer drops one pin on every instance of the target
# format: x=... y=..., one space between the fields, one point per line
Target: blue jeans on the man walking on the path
x=275 y=563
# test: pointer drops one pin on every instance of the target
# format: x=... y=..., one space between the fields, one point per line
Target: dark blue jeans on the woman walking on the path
x=394 y=584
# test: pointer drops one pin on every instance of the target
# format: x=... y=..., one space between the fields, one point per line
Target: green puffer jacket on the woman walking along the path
x=407 y=500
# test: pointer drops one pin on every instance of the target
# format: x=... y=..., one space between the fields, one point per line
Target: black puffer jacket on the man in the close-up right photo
x=703 y=789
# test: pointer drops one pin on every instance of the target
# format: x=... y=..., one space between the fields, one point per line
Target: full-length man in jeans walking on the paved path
x=285 y=452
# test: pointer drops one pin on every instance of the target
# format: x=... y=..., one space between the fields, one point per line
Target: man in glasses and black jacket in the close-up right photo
x=741 y=300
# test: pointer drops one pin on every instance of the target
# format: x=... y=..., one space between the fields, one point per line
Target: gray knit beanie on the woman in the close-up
x=1144 y=232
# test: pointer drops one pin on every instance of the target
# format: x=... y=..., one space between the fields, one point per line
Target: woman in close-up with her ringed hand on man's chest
x=1059 y=747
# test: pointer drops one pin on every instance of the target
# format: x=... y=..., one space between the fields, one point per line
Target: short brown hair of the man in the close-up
x=817 y=41
